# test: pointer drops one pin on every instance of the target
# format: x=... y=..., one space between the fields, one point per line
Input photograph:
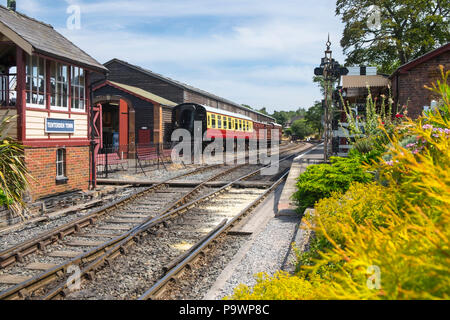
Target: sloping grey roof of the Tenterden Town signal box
x=43 y=38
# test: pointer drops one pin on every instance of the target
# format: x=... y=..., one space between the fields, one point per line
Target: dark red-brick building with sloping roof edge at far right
x=408 y=80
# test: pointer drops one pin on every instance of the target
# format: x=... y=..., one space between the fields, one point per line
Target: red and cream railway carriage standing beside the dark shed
x=221 y=123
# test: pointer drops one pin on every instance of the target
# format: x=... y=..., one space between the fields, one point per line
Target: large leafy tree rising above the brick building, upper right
x=393 y=32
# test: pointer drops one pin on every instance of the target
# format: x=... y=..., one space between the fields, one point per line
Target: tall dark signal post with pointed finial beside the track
x=331 y=71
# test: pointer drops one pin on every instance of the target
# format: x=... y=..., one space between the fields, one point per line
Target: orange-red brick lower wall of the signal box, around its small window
x=42 y=165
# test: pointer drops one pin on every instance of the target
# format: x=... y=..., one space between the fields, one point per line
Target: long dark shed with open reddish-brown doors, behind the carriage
x=139 y=101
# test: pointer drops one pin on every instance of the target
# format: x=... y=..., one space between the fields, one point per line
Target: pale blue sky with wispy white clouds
x=256 y=52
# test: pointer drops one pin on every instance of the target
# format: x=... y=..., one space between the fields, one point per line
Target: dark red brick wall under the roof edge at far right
x=411 y=85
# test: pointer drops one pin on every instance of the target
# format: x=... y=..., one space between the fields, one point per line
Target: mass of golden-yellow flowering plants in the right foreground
x=401 y=229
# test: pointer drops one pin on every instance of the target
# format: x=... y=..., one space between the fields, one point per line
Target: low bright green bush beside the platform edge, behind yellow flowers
x=320 y=181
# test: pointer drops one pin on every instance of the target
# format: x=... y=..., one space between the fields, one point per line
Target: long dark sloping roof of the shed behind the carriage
x=186 y=86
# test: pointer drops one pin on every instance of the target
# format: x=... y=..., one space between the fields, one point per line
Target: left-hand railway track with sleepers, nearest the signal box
x=99 y=237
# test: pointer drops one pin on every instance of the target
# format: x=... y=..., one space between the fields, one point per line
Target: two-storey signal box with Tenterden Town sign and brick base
x=43 y=80
